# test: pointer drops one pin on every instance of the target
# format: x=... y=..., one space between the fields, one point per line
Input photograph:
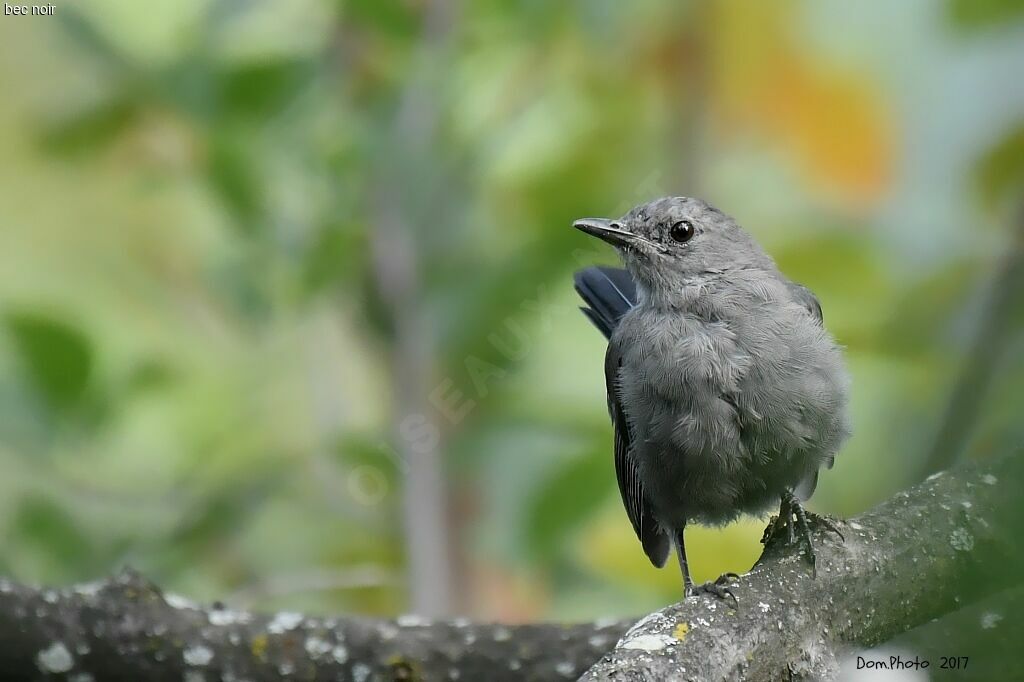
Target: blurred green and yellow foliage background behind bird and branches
x=286 y=305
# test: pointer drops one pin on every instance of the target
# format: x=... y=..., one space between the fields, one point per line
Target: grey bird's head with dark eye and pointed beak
x=669 y=241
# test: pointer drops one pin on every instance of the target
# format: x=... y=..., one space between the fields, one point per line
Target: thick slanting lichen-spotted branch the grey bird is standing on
x=929 y=551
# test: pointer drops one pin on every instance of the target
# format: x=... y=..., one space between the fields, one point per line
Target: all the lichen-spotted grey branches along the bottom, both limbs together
x=933 y=550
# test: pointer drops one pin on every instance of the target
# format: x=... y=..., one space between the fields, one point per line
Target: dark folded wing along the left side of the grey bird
x=654 y=539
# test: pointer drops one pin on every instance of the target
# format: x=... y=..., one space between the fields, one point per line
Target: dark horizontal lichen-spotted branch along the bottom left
x=125 y=629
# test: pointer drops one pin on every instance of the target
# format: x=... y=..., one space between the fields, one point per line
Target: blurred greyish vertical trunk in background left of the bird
x=400 y=210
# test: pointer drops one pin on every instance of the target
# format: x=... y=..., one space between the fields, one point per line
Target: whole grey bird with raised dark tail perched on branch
x=726 y=392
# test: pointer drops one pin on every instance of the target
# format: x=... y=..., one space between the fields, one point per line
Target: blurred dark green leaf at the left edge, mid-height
x=57 y=357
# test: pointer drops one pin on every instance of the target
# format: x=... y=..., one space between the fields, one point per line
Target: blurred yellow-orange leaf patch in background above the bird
x=832 y=121
